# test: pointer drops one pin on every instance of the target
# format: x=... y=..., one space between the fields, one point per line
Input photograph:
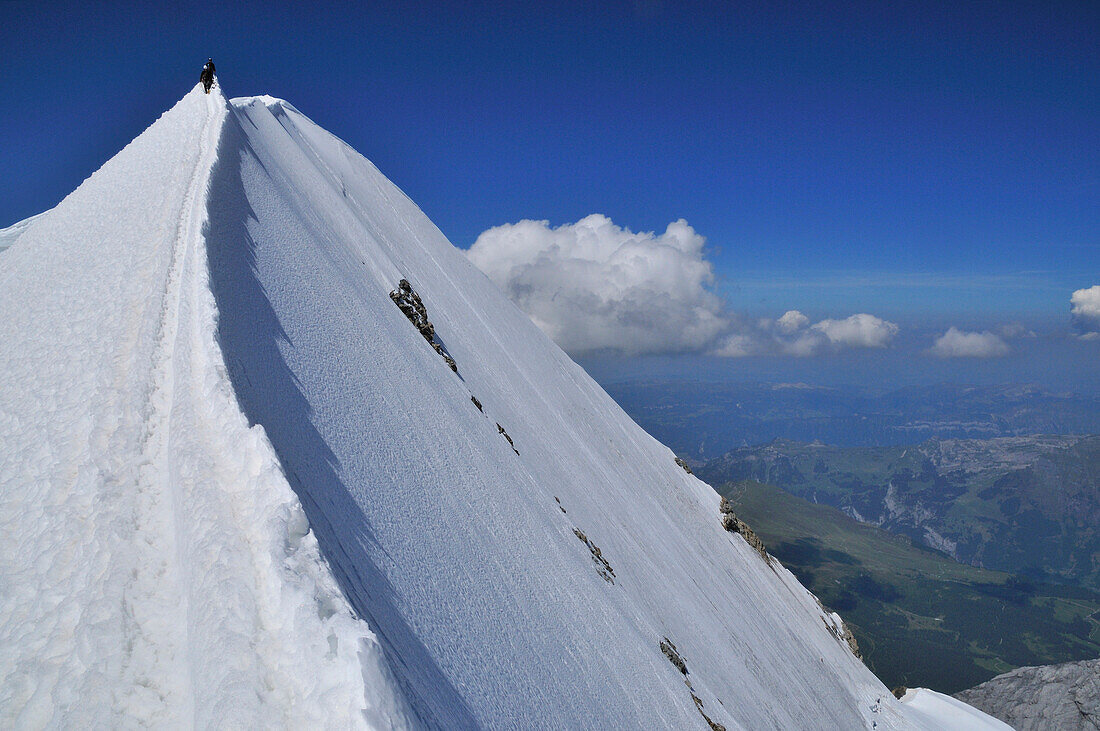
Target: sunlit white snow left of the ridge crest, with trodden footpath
x=158 y=570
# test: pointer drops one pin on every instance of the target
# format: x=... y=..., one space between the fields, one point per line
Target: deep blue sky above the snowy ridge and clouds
x=909 y=160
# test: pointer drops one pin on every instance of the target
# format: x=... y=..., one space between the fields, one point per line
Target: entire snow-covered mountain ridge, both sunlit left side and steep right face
x=204 y=331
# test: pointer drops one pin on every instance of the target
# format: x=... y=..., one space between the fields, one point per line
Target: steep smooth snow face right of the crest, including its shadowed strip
x=459 y=546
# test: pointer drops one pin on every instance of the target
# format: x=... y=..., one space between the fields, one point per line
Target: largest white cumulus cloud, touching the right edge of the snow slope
x=593 y=285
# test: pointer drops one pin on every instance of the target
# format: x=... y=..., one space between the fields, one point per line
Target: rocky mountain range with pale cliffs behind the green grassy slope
x=1027 y=505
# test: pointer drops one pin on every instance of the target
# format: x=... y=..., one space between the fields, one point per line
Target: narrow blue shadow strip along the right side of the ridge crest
x=251 y=336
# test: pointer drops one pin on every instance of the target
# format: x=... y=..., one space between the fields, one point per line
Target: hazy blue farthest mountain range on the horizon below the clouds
x=703 y=420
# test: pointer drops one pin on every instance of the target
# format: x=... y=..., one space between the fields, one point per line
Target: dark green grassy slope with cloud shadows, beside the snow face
x=921 y=618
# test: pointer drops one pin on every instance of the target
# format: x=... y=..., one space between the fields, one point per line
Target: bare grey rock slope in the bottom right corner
x=1064 y=697
